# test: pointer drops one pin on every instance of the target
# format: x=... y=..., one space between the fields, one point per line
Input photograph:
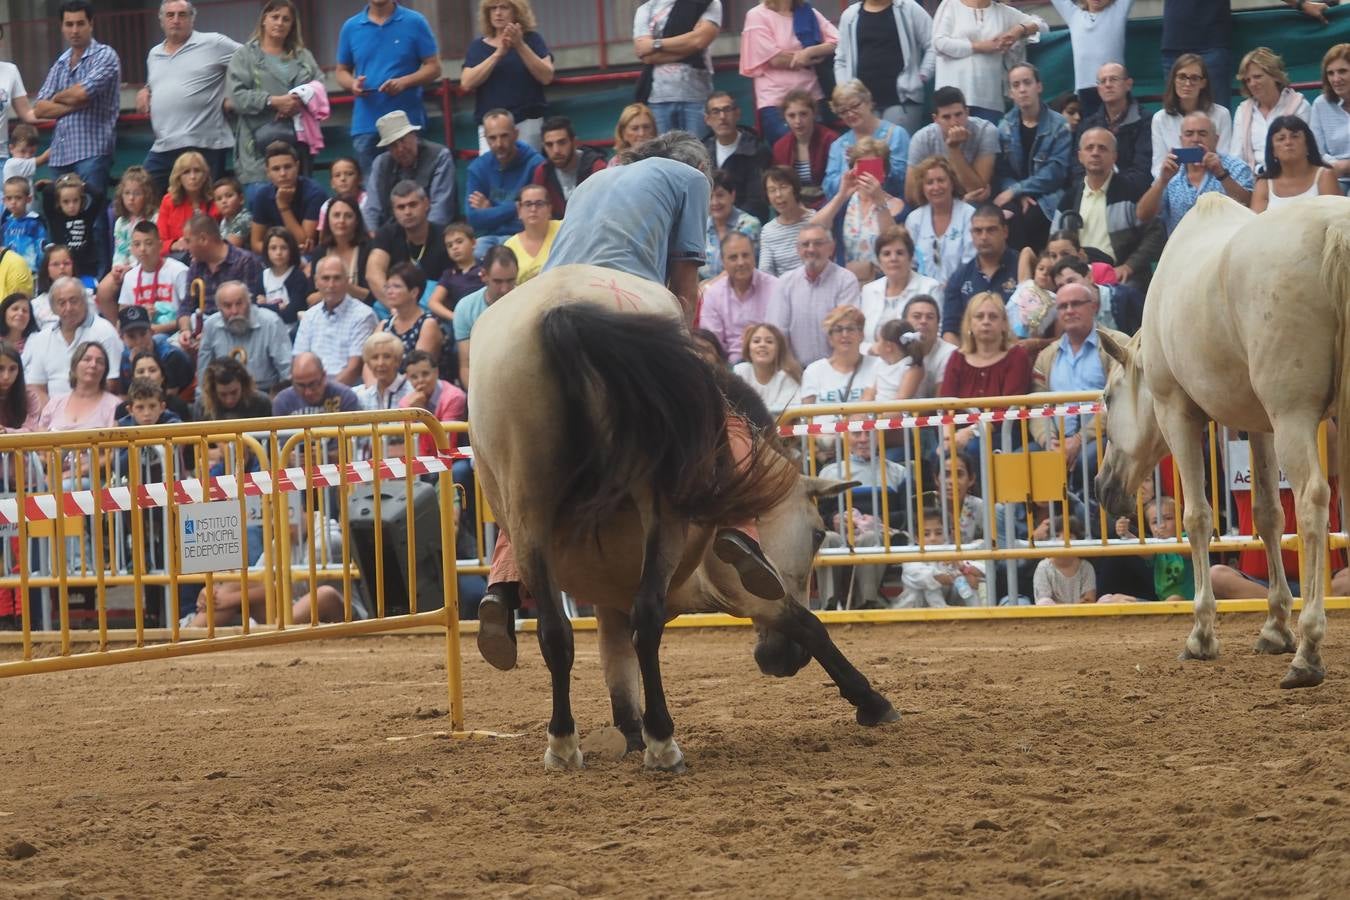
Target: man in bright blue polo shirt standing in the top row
x=385 y=55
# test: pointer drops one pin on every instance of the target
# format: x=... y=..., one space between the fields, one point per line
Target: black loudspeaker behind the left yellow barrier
x=395 y=549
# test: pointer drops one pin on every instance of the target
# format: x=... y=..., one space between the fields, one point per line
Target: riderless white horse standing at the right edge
x=1247 y=323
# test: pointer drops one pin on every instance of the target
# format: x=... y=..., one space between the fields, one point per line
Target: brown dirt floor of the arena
x=1051 y=759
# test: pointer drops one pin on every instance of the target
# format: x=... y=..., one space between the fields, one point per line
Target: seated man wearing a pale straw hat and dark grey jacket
x=408 y=157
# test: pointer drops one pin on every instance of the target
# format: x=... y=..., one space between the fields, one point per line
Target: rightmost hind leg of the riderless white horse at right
x=1298 y=447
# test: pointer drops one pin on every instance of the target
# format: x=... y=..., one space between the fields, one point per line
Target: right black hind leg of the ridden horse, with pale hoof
x=665 y=543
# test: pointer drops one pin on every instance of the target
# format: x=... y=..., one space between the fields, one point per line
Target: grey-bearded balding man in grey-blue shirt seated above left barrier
x=254 y=335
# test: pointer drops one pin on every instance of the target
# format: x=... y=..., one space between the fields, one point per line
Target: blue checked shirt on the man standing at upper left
x=91 y=130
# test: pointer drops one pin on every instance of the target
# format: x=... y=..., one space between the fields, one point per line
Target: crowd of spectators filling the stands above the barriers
x=861 y=241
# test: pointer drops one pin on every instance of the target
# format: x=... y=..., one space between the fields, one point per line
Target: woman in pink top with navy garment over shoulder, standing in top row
x=781 y=45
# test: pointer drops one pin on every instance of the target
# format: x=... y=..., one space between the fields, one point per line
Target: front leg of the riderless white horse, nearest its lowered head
x=1181 y=430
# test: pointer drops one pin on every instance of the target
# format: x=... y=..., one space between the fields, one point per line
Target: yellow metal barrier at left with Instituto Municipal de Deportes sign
x=105 y=481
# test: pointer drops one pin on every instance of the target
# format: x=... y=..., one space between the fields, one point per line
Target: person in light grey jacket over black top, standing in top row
x=888 y=45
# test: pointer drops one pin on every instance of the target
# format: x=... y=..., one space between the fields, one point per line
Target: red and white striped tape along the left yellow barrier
x=40 y=508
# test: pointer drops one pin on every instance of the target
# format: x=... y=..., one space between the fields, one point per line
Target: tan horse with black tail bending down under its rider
x=601 y=443
